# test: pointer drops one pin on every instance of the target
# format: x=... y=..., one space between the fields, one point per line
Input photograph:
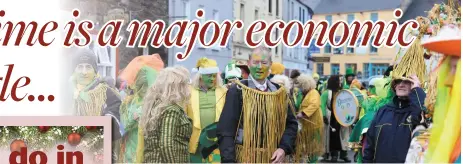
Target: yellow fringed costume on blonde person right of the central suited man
x=310 y=140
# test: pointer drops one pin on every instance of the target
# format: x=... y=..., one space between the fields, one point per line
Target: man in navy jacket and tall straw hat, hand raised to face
x=389 y=135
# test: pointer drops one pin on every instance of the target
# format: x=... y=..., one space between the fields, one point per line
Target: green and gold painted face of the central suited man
x=259 y=65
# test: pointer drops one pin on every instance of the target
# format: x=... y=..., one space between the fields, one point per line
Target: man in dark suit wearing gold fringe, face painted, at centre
x=257 y=124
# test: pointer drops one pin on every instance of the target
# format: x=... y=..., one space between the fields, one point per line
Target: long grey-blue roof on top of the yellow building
x=352 y=6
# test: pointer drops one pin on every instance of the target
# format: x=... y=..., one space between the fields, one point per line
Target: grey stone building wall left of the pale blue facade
x=100 y=11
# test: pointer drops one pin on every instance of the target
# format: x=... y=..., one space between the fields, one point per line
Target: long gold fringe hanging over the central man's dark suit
x=264 y=121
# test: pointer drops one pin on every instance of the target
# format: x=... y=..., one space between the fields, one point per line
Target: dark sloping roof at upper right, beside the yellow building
x=419 y=8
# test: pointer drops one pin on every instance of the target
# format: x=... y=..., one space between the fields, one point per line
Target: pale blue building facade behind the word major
x=186 y=9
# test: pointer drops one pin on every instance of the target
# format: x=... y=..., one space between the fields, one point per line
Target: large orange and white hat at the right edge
x=447 y=41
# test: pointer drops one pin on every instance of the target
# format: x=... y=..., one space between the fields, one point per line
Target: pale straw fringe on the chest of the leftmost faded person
x=97 y=101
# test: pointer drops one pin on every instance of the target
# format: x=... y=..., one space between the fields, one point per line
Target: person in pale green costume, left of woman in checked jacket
x=131 y=112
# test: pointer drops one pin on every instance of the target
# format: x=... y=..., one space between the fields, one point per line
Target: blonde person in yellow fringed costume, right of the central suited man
x=310 y=140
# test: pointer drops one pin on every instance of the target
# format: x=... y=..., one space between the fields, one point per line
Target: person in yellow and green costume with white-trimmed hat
x=206 y=103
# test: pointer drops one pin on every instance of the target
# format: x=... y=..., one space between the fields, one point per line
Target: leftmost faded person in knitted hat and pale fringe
x=92 y=96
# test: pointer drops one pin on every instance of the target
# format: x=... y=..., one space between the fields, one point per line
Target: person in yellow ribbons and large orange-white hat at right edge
x=444 y=144
